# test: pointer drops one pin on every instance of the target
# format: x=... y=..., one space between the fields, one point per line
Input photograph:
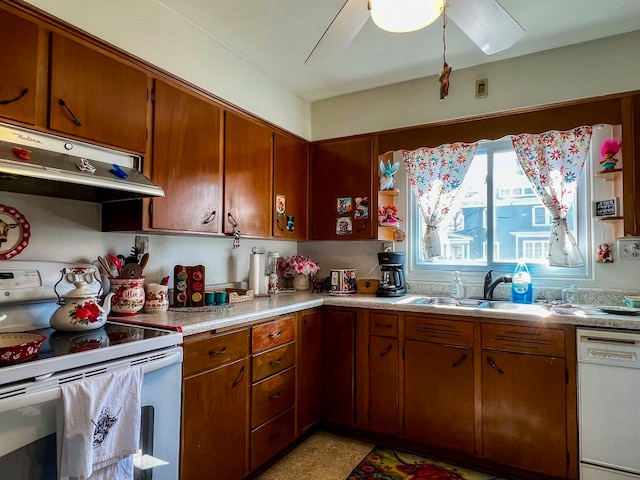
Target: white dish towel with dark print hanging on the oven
x=101 y=426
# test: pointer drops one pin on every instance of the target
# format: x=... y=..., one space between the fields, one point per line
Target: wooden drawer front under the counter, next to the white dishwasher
x=538 y=341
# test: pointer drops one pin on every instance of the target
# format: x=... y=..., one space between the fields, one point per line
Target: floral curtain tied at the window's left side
x=436 y=175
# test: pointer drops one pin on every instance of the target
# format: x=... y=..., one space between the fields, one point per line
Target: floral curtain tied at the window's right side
x=553 y=162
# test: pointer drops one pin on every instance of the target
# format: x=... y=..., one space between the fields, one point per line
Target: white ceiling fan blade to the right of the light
x=486 y=23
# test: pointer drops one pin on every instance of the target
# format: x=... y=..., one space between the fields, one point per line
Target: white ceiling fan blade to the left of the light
x=337 y=37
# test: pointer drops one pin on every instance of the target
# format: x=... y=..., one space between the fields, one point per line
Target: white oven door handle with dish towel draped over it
x=53 y=392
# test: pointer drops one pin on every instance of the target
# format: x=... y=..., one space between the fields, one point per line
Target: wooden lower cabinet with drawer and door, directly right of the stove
x=215 y=397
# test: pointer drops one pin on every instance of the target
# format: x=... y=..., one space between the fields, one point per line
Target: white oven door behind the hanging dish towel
x=30 y=426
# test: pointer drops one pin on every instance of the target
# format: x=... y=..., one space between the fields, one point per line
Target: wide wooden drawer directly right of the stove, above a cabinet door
x=211 y=352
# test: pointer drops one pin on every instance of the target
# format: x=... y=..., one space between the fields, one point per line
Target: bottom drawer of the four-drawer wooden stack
x=271 y=438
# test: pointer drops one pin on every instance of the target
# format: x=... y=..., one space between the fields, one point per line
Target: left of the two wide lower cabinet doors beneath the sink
x=439 y=395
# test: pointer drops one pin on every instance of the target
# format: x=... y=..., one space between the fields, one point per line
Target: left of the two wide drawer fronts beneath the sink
x=446 y=332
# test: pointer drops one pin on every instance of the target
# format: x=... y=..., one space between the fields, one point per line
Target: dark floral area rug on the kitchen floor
x=387 y=464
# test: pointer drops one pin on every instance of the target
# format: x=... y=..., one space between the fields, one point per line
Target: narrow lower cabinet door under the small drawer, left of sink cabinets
x=384 y=385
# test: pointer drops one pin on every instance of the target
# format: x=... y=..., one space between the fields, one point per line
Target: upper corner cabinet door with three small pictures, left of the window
x=342 y=170
